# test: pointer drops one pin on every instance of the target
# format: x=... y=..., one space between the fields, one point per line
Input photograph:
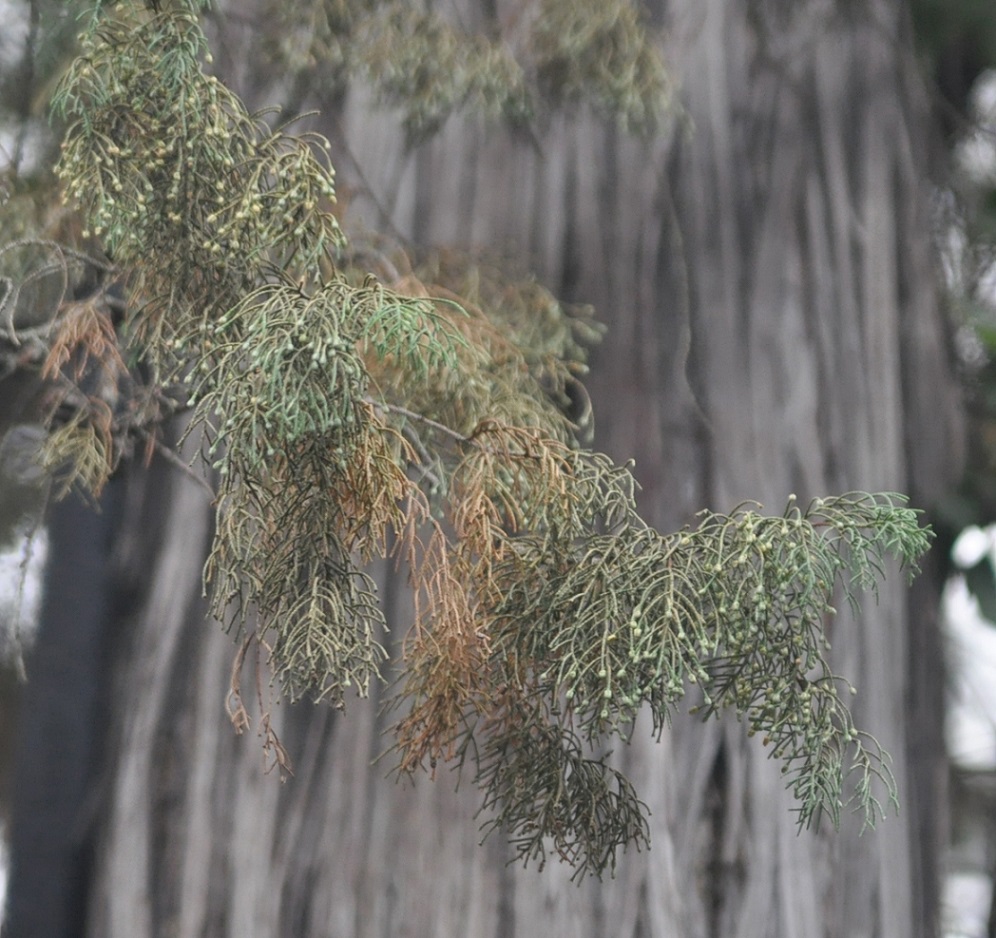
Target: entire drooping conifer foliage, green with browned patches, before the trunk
x=347 y=416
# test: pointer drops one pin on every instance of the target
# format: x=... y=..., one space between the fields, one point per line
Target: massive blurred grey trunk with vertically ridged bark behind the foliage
x=775 y=328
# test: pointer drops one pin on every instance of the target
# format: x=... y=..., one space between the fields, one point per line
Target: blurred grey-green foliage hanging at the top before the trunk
x=539 y=57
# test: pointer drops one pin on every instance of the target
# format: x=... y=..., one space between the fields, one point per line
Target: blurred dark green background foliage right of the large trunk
x=957 y=42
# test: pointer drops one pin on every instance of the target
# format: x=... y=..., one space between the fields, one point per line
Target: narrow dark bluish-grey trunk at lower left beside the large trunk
x=60 y=729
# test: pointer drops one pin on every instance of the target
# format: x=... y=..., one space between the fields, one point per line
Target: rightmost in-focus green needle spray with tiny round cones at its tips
x=736 y=605
